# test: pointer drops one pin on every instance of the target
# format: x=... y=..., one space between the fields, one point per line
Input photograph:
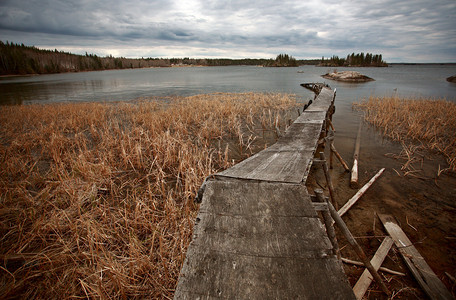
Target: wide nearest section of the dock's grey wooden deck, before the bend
x=259 y=240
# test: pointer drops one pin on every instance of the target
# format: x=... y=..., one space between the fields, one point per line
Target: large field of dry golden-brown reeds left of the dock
x=97 y=199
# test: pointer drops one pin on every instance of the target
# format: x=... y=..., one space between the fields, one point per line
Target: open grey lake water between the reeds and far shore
x=116 y=85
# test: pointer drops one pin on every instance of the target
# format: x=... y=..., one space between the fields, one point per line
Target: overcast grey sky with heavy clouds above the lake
x=403 y=31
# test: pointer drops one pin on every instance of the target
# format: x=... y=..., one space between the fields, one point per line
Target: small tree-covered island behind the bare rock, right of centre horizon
x=355 y=60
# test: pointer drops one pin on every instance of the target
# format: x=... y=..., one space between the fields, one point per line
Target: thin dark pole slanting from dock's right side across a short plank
x=359 y=251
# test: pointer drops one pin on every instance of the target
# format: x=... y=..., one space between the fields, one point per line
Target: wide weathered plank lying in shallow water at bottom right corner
x=427 y=279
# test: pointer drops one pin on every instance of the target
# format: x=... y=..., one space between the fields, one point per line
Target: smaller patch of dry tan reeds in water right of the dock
x=431 y=123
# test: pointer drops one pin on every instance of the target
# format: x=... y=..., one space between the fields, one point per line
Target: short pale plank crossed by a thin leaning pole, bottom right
x=366 y=278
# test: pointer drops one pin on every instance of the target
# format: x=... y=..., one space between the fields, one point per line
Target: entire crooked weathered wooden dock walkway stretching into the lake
x=257 y=234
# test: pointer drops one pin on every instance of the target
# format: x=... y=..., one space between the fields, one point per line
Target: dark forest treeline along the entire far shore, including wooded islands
x=18 y=59
